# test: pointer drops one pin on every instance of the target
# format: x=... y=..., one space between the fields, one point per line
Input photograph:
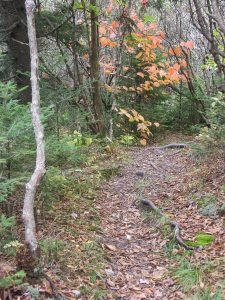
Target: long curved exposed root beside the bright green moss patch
x=173 y=224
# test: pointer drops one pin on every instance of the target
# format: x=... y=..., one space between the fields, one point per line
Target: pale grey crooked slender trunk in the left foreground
x=31 y=187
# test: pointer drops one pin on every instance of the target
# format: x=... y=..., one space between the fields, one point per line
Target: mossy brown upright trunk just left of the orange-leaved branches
x=95 y=71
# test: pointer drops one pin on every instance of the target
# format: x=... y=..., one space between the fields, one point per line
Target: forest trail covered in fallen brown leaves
x=140 y=249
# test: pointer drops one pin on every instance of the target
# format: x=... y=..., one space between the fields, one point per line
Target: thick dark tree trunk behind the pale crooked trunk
x=14 y=43
